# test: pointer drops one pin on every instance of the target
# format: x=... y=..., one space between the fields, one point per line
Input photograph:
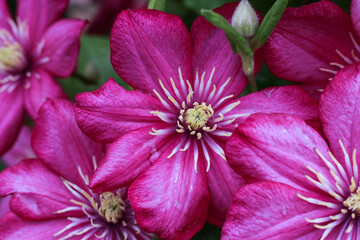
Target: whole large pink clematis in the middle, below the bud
x=168 y=134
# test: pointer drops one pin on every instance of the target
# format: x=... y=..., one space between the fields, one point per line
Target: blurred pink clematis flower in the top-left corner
x=33 y=50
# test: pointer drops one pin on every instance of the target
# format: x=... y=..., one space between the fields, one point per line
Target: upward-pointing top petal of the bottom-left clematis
x=60 y=144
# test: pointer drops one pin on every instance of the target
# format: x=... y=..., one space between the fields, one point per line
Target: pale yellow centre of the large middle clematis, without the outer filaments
x=197 y=117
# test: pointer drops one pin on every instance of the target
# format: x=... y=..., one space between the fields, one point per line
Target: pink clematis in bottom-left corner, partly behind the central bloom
x=50 y=195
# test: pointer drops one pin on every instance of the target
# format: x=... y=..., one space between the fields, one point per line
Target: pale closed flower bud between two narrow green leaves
x=244 y=19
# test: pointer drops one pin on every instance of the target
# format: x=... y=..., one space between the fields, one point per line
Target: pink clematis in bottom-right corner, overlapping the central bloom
x=316 y=190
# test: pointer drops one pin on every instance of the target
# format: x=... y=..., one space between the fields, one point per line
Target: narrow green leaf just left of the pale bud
x=219 y=21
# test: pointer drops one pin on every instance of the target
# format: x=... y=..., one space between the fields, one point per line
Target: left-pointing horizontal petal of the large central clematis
x=106 y=118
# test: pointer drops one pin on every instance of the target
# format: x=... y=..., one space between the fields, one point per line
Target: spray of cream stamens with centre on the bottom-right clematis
x=345 y=191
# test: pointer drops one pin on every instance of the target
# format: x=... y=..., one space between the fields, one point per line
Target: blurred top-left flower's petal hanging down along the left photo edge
x=12 y=114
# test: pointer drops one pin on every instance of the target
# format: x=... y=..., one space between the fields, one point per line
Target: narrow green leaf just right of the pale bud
x=268 y=24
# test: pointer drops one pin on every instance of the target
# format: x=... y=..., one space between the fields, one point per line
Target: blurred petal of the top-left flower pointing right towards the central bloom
x=62 y=46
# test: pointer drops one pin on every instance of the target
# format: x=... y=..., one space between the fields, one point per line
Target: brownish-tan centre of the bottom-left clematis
x=112 y=207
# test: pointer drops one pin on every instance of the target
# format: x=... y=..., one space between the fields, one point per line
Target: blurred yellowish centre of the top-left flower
x=11 y=53
